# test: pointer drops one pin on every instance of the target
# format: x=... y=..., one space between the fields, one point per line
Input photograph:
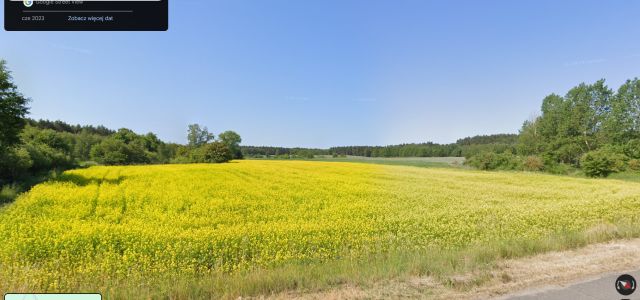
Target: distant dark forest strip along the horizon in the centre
x=466 y=147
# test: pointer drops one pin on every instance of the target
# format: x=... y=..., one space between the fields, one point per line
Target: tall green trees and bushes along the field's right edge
x=591 y=128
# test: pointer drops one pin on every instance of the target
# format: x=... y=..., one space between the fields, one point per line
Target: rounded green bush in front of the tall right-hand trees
x=602 y=162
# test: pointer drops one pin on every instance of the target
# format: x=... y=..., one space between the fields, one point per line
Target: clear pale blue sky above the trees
x=328 y=73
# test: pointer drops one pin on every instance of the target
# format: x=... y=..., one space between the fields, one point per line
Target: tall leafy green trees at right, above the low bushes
x=587 y=118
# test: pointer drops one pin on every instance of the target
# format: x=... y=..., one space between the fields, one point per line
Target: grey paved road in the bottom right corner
x=597 y=288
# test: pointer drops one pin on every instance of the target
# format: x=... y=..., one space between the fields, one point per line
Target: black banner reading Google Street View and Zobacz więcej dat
x=117 y=15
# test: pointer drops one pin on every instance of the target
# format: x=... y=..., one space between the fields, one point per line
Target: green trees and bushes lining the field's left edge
x=30 y=148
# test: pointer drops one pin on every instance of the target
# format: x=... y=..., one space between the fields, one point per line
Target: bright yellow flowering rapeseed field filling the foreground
x=260 y=226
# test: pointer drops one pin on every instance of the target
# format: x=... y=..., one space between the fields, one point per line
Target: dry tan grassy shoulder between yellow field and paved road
x=508 y=277
